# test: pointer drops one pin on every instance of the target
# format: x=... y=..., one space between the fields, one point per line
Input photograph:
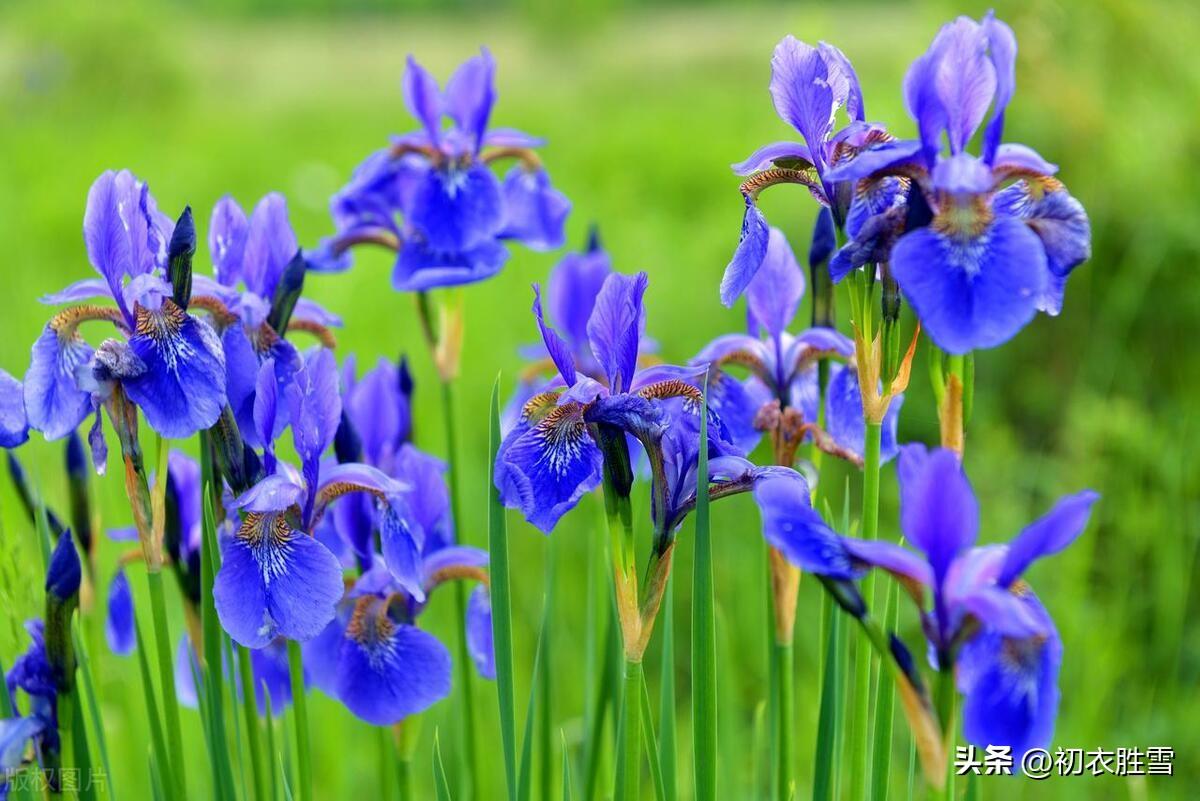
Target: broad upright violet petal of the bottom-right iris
x=939 y=511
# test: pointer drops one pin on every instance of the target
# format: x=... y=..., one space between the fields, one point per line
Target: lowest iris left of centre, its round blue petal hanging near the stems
x=375 y=659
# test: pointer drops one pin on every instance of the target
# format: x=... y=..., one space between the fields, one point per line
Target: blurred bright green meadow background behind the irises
x=645 y=109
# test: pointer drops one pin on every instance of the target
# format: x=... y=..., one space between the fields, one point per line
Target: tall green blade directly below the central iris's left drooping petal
x=502 y=600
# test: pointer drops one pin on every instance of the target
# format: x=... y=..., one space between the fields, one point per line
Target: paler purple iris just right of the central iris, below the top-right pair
x=784 y=368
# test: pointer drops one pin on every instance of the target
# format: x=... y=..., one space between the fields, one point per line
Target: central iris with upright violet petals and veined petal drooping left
x=551 y=459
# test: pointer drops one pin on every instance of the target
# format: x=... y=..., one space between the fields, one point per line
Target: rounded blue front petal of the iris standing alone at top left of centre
x=459 y=209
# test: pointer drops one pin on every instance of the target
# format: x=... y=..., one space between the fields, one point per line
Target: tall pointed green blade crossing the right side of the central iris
x=704 y=639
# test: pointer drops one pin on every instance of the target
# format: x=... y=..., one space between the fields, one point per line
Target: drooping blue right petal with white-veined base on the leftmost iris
x=183 y=389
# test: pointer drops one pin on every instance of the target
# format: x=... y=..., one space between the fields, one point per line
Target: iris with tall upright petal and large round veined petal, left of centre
x=277 y=580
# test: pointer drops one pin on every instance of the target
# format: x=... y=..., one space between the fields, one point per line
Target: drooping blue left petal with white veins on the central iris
x=547 y=468
